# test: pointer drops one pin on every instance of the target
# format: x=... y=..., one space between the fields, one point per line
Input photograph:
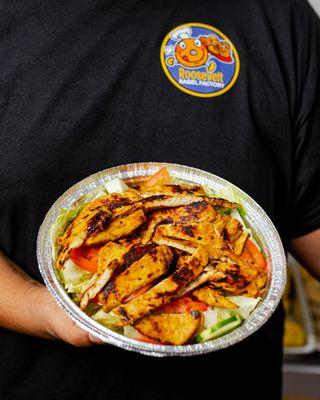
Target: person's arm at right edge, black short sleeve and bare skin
x=304 y=219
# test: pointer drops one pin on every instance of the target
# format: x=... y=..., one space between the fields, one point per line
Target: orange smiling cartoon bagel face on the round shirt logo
x=191 y=53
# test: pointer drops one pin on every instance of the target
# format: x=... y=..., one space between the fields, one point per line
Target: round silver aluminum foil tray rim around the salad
x=264 y=230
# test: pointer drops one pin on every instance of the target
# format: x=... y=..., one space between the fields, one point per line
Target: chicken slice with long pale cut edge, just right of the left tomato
x=111 y=257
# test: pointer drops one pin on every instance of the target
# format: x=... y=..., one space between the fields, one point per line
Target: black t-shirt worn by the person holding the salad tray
x=83 y=89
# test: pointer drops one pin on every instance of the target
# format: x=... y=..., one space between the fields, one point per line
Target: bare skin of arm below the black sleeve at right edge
x=306 y=249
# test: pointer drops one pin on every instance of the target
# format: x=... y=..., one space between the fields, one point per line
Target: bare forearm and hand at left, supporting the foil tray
x=26 y=306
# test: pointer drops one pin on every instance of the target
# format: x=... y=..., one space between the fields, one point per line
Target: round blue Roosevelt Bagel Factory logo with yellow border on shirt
x=199 y=60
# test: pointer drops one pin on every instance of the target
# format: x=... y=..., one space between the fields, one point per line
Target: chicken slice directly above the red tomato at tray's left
x=121 y=225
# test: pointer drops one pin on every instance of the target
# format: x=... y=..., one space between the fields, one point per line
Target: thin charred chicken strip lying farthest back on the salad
x=171 y=190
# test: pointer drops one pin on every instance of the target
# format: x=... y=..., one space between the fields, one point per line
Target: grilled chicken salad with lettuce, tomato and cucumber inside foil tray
x=164 y=262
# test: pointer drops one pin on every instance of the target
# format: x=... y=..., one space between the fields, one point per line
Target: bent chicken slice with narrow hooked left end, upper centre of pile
x=195 y=212
